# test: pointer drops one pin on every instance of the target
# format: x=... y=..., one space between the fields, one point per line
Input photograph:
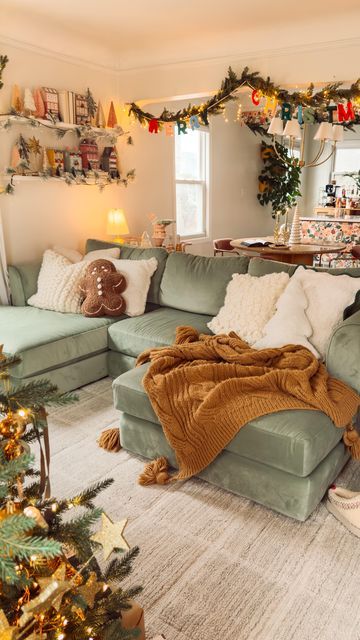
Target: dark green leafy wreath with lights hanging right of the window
x=279 y=181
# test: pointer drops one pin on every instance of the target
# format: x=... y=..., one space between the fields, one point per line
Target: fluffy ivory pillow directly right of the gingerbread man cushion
x=138 y=277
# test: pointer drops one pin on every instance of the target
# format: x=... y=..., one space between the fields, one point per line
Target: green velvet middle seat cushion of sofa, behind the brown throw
x=155 y=329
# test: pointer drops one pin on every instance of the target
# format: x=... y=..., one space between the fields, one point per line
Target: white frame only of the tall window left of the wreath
x=203 y=181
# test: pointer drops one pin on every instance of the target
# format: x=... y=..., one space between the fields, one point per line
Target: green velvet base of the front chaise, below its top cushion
x=286 y=493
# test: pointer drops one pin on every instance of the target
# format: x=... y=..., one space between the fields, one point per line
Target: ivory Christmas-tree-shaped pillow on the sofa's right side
x=290 y=324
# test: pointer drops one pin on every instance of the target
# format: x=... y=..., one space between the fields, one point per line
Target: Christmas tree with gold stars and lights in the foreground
x=54 y=584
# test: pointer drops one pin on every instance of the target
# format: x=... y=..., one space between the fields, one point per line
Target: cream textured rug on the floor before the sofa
x=214 y=566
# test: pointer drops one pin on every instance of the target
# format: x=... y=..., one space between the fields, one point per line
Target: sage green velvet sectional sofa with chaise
x=285 y=460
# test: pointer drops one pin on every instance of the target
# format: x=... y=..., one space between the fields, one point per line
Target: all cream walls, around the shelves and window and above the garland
x=40 y=213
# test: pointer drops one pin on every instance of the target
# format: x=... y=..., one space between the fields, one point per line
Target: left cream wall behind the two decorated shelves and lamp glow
x=41 y=213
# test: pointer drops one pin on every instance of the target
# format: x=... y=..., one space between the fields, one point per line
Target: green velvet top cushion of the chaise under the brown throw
x=294 y=441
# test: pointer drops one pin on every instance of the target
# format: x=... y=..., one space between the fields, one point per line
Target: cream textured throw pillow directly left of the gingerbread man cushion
x=58 y=284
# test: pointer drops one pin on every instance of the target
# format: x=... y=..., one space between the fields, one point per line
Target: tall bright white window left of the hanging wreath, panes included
x=191 y=177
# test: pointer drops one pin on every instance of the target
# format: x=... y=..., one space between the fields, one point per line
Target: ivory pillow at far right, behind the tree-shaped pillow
x=327 y=295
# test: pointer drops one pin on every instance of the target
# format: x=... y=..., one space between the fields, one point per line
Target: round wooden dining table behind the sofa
x=296 y=254
